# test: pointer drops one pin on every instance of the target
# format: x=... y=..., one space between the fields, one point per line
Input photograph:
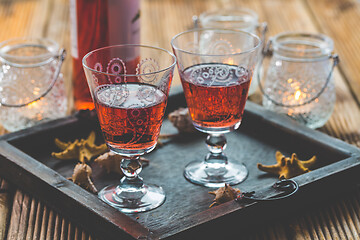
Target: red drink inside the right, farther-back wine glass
x=216 y=94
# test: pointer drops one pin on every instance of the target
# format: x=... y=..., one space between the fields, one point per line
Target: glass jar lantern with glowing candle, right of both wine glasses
x=299 y=79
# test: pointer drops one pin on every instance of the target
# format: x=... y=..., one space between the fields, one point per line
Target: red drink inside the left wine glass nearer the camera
x=130 y=115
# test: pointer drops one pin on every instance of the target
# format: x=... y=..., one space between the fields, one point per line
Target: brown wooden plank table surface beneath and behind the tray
x=23 y=216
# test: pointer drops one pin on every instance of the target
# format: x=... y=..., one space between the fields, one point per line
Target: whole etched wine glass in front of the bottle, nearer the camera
x=130 y=85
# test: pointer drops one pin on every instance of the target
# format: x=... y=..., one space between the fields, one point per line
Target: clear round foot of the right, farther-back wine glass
x=215 y=175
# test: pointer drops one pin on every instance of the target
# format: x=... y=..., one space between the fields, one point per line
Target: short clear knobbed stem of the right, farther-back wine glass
x=216 y=144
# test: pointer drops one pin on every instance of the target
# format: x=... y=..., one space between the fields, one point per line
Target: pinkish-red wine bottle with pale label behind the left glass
x=96 y=24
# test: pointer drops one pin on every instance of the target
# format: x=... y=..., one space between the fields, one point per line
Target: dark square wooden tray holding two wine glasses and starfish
x=25 y=160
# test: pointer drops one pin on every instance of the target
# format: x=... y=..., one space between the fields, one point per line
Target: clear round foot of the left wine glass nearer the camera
x=153 y=198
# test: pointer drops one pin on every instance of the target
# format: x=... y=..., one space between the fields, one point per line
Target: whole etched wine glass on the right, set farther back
x=216 y=67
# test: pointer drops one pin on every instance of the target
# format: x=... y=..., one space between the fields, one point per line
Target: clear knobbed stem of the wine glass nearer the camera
x=131 y=185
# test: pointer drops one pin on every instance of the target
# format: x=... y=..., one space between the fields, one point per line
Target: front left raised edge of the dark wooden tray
x=51 y=187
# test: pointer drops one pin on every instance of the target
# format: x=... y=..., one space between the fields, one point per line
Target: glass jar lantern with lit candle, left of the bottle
x=32 y=89
